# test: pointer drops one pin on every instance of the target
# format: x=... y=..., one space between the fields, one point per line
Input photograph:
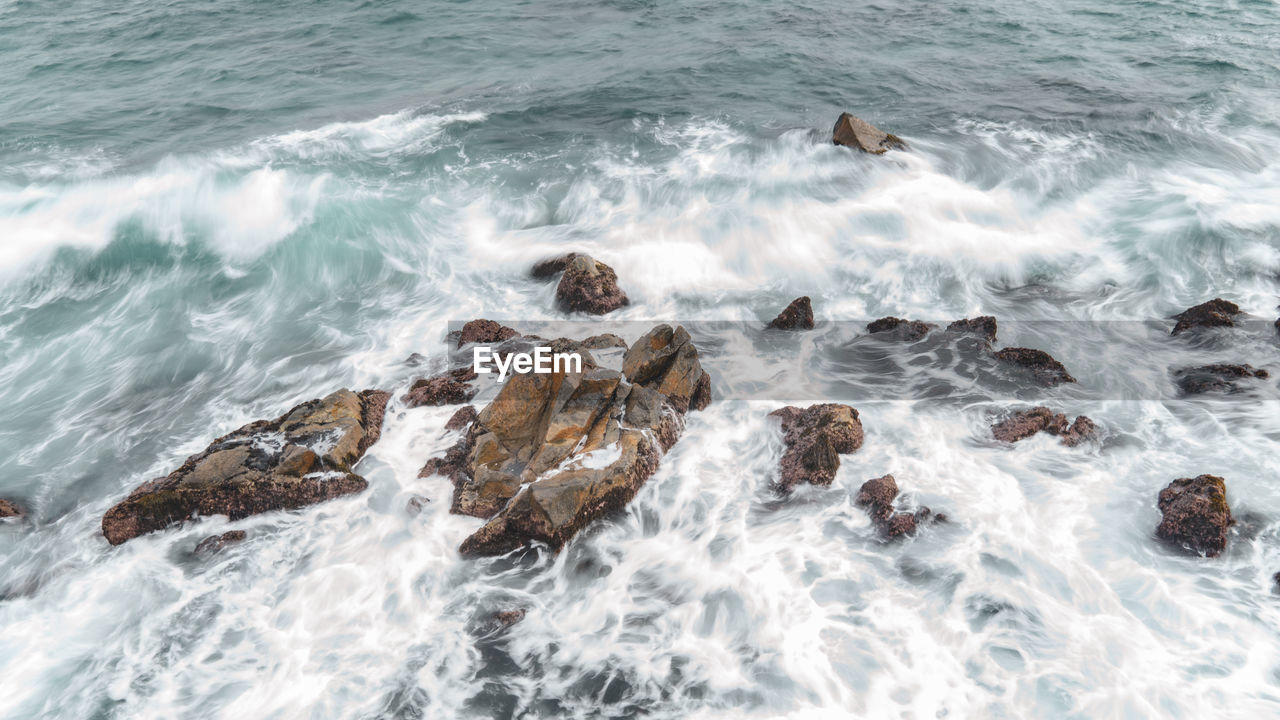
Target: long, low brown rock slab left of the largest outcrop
x=301 y=458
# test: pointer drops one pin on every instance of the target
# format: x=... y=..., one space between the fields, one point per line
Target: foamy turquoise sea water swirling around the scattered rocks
x=213 y=211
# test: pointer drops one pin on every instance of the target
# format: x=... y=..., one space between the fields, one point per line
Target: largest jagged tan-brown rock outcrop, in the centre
x=556 y=452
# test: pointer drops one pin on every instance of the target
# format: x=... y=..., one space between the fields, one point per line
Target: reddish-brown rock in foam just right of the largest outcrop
x=815 y=440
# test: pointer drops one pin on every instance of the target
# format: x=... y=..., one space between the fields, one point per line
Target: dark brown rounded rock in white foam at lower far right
x=1196 y=514
